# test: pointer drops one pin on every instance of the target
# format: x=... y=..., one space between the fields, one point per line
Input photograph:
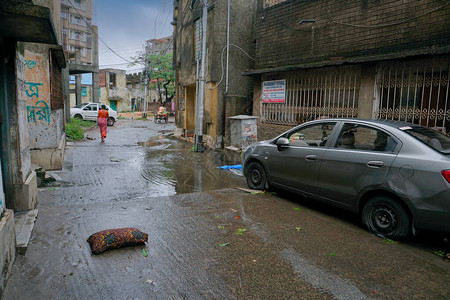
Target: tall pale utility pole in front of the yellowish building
x=201 y=99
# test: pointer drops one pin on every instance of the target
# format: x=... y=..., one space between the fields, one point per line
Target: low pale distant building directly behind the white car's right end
x=113 y=89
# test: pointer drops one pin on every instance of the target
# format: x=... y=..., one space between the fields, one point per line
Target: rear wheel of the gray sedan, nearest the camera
x=385 y=216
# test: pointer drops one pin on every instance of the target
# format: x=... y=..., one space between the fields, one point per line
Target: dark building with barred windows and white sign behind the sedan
x=366 y=59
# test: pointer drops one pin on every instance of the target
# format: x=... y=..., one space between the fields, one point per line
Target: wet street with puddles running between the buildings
x=207 y=240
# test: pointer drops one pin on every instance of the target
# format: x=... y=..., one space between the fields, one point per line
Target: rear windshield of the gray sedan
x=434 y=139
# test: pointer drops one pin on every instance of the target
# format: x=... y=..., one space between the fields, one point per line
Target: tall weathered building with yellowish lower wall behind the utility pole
x=224 y=97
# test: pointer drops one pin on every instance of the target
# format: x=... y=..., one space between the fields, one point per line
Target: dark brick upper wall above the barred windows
x=282 y=41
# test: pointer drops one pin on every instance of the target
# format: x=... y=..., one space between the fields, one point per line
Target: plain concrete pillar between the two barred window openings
x=367 y=91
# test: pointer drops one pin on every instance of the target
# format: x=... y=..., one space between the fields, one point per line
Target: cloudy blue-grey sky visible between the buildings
x=126 y=25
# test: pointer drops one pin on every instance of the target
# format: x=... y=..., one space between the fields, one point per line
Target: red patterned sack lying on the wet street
x=116 y=238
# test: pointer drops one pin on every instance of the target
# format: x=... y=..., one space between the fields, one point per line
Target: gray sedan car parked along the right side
x=395 y=175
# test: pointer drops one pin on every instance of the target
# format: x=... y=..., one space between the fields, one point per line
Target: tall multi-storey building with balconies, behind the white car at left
x=80 y=42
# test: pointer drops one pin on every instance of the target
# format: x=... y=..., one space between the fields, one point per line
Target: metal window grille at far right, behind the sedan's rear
x=415 y=92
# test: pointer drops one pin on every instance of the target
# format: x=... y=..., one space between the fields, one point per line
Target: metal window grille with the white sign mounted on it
x=313 y=94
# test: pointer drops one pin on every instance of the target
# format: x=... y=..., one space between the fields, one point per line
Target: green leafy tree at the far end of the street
x=158 y=72
